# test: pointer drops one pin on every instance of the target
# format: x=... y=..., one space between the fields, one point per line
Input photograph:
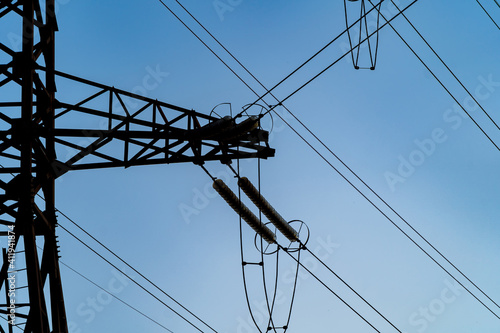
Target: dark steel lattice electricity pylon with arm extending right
x=42 y=138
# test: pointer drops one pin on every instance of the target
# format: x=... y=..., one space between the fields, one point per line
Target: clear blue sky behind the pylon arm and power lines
x=396 y=127
